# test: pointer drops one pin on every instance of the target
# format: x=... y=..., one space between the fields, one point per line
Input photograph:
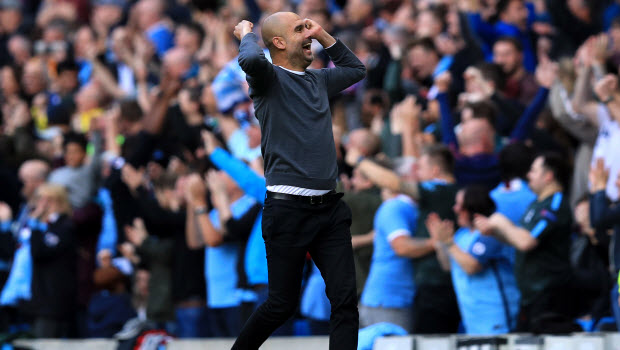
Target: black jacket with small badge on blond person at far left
x=54 y=280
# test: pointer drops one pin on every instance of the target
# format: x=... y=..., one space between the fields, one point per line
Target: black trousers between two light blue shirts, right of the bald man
x=435 y=310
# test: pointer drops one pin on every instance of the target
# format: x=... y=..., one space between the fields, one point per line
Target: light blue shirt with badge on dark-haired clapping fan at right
x=488 y=300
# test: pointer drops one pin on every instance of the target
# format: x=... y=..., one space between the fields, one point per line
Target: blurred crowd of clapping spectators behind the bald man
x=480 y=158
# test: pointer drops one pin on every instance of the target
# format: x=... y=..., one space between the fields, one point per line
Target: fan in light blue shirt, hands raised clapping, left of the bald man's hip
x=233 y=215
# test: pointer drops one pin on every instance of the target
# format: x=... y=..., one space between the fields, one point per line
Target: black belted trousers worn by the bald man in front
x=290 y=230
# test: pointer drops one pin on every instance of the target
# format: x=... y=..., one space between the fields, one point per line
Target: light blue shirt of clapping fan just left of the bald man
x=221 y=262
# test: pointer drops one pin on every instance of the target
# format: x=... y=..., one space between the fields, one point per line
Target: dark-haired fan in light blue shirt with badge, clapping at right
x=481 y=266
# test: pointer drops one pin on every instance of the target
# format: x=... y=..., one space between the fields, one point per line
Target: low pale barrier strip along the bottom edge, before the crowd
x=589 y=341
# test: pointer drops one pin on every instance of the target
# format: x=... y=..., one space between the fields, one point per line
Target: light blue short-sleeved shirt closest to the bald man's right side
x=390 y=281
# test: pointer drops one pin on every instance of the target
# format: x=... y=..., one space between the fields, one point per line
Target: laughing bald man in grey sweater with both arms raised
x=302 y=211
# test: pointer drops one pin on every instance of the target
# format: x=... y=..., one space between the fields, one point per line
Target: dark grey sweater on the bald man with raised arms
x=293 y=110
